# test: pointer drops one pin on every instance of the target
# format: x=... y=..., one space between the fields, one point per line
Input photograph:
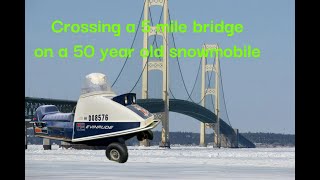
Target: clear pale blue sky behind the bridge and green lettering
x=260 y=93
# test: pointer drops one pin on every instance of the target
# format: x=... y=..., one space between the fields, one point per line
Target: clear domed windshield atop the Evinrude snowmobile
x=96 y=82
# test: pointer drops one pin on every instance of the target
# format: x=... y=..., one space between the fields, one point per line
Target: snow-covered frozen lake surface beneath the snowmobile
x=179 y=162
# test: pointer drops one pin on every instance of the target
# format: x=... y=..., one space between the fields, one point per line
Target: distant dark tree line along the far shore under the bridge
x=192 y=139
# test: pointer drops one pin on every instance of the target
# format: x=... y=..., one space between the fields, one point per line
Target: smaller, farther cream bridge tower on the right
x=210 y=91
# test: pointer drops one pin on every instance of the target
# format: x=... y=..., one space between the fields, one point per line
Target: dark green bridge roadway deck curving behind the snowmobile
x=154 y=106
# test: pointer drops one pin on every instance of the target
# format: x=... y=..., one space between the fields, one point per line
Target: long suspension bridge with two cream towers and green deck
x=207 y=105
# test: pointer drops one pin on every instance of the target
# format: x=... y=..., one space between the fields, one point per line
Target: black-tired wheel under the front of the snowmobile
x=117 y=152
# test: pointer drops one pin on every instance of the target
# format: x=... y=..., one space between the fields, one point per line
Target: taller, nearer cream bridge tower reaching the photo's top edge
x=161 y=65
